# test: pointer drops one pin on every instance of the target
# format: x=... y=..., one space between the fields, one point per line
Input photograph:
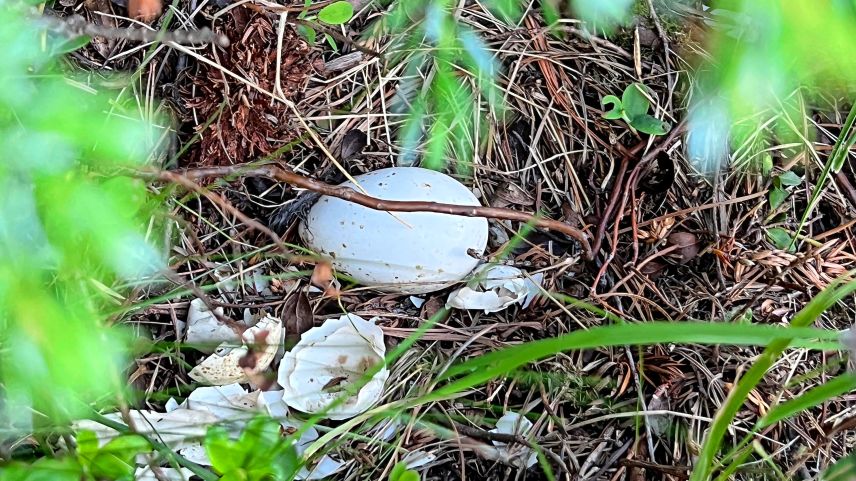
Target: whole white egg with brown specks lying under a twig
x=408 y=252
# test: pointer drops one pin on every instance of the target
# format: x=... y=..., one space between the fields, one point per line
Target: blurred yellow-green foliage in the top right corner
x=770 y=63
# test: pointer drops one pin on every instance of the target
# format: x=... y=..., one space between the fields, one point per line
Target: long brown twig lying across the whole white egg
x=351 y=195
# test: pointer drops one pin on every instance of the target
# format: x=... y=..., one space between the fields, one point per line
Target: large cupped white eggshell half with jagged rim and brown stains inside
x=330 y=358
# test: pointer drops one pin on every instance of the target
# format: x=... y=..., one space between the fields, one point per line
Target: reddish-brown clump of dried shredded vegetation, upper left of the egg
x=245 y=124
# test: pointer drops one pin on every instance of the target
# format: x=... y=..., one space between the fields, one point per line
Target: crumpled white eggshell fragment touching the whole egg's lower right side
x=496 y=287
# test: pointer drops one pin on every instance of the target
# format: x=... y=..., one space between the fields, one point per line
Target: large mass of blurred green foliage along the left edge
x=70 y=228
